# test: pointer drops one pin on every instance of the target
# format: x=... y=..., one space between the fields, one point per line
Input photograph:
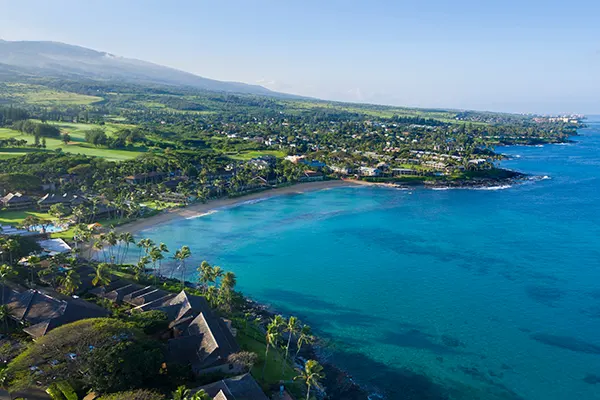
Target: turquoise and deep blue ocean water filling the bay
x=423 y=294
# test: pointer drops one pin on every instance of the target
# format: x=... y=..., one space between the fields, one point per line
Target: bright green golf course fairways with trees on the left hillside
x=77 y=145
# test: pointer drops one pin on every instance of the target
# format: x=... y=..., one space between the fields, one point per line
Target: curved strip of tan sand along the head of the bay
x=197 y=209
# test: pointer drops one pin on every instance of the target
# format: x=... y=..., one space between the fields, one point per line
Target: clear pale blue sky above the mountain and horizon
x=510 y=55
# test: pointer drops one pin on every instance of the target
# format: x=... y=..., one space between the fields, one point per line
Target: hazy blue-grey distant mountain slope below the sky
x=59 y=60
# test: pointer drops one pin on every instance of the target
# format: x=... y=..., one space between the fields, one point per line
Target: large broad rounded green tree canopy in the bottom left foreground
x=108 y=355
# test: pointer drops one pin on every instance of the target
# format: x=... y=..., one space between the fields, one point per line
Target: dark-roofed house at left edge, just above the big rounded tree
x=42 y=313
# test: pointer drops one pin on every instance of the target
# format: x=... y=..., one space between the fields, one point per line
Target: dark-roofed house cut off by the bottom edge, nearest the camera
x=242 y=387
